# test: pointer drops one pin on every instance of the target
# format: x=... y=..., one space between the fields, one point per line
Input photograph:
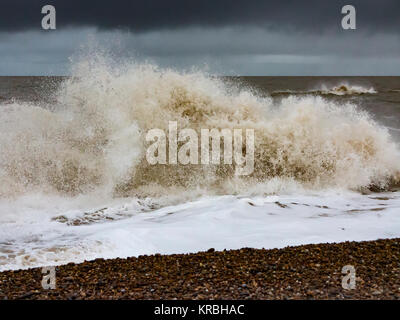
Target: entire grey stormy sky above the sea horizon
x=227 y=37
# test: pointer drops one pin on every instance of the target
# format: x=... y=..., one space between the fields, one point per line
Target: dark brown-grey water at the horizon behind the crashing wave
x=383 y=104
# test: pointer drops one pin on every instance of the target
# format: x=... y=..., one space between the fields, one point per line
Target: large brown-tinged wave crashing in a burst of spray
x=93 y=138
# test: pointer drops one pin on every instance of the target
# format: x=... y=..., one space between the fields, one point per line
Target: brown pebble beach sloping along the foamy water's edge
x=302 y=272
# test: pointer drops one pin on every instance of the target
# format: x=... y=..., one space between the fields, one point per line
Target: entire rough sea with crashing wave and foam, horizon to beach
x=75 y=184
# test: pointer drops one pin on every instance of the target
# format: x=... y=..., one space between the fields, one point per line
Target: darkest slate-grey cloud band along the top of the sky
x=308 y=15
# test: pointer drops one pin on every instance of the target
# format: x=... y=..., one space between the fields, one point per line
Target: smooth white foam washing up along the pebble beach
x=224 y=222
